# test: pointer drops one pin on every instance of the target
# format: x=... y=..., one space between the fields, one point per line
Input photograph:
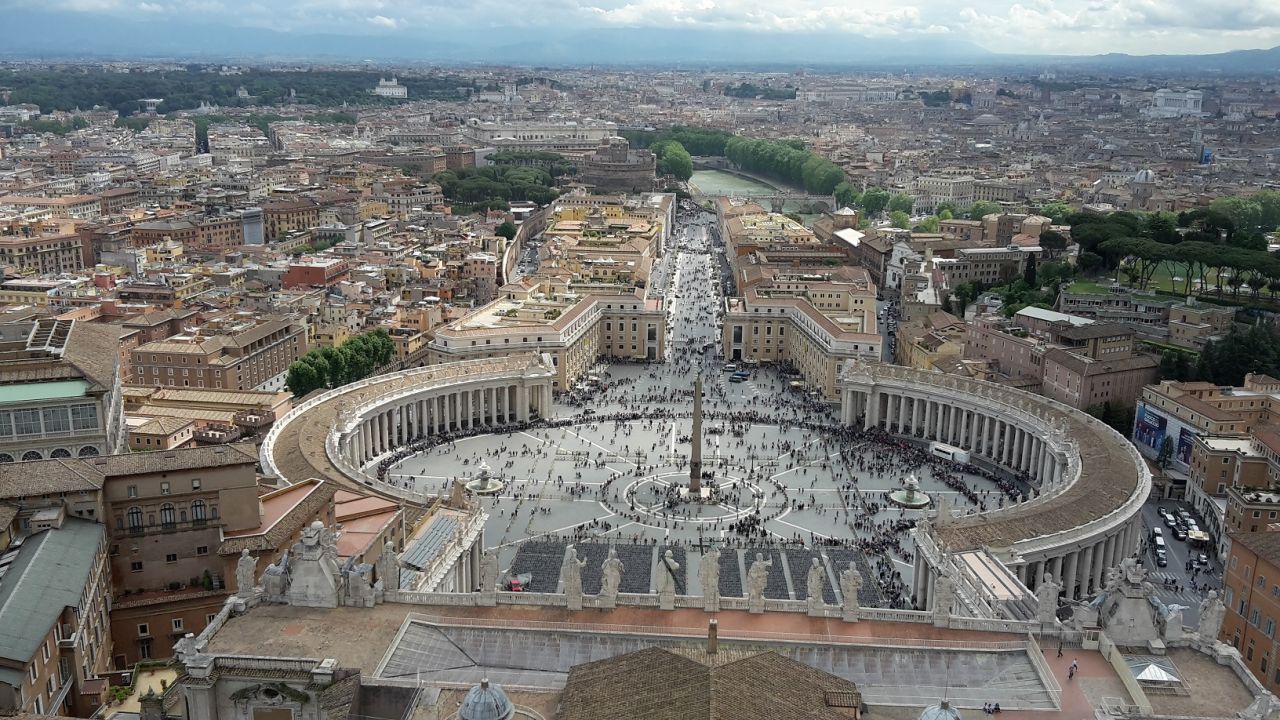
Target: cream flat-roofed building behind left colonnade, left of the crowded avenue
x=547 y=317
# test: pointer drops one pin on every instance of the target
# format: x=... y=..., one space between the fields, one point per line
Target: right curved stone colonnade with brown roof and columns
x=1090 y=481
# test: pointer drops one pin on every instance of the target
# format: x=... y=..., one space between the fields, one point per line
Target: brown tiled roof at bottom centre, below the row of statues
x=660 y=685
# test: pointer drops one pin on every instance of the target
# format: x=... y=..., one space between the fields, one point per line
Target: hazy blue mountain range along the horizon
x=53 y=35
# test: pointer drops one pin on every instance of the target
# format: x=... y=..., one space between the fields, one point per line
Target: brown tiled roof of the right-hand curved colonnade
x=1112 y=472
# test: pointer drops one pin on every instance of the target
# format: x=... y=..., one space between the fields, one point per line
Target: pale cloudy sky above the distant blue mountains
x=1073 y=28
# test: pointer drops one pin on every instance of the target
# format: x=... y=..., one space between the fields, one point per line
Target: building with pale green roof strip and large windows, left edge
x=60 y=390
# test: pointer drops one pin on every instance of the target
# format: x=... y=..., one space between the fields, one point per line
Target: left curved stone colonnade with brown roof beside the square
x=342 y=432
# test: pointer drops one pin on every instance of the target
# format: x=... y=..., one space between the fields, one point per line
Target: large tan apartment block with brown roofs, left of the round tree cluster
x=240 y=353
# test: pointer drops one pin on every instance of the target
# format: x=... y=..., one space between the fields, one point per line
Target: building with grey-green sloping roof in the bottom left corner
x=54 y=599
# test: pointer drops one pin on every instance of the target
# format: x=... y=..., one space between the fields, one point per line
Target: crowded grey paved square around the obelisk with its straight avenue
x=780 y=472
